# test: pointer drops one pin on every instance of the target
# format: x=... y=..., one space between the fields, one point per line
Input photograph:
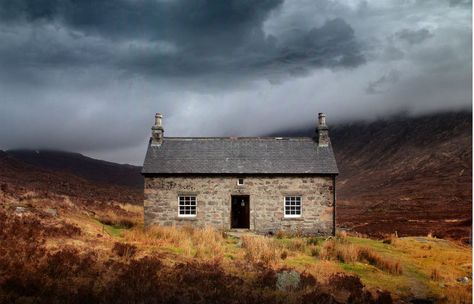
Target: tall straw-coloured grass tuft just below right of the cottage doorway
x=260 y=249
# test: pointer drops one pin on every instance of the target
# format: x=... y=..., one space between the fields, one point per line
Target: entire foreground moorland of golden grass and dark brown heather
x=102 y=254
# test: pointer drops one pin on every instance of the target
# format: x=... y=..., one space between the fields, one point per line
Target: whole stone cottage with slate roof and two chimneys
x=264 y=184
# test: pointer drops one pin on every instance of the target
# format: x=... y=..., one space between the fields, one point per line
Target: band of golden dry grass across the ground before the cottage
x=428 y=262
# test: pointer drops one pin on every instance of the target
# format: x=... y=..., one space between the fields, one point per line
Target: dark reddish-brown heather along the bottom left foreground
x=33 y=273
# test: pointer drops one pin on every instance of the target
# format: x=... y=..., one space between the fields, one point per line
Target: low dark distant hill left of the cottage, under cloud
x=82 y=166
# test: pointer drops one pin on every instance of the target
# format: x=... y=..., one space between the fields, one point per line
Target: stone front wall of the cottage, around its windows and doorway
x=266 y=202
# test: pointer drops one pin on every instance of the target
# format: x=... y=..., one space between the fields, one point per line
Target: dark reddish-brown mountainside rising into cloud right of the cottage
x=407 y=174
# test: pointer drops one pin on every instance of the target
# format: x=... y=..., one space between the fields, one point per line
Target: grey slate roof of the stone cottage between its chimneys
x=239 y=155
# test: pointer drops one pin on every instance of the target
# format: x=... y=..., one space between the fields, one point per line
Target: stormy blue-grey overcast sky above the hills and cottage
x=88 y=75
